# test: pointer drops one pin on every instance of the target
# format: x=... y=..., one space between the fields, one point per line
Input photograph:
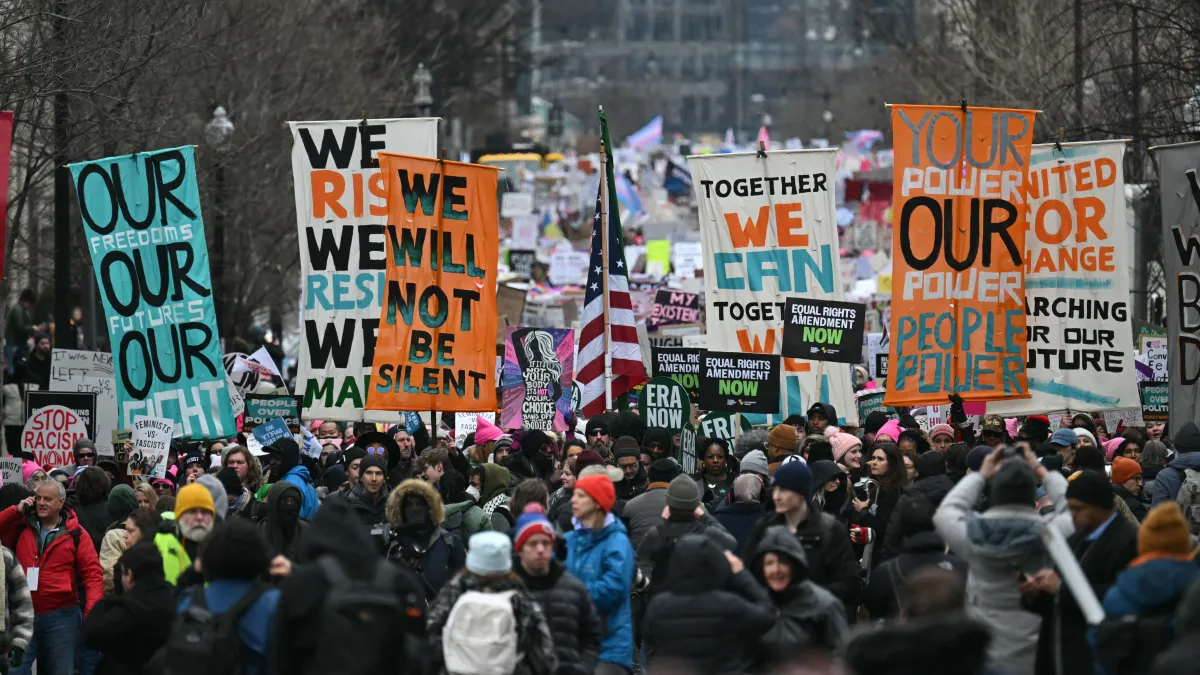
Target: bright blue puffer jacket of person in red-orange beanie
x=604 y=561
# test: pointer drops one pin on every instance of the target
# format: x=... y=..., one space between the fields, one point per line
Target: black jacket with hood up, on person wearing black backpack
x=305 y=628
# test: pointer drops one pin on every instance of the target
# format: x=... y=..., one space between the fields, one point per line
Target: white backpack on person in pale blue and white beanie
x=481 y=636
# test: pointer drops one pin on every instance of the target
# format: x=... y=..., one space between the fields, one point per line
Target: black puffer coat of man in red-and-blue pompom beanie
x=573 y=619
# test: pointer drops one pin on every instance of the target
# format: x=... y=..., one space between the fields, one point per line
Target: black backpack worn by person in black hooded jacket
x=359 y=617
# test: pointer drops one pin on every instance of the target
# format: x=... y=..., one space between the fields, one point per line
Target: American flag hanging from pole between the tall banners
x=628 y=371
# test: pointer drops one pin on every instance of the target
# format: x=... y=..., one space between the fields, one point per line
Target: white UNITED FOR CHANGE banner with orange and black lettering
x=1081 y=351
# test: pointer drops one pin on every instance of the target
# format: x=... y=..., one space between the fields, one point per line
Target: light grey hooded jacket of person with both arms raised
x=997 y=545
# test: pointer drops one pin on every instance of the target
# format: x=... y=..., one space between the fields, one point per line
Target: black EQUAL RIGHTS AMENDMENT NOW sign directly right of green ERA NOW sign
x=739 y=383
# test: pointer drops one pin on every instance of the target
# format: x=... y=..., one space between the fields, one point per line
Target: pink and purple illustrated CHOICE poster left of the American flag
x=539 y=371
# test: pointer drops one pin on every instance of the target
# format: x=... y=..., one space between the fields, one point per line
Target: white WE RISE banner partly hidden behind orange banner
x=341 y=213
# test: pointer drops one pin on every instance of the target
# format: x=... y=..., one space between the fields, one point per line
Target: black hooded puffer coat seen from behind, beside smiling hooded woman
x=705 y=617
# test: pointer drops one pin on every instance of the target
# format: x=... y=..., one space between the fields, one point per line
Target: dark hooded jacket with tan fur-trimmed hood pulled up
x=430 y=552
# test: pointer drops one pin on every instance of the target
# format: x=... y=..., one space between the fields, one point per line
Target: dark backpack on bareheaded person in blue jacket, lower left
x=206 y=644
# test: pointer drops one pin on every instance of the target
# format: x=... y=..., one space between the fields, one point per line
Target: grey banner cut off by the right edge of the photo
x=1180 y=193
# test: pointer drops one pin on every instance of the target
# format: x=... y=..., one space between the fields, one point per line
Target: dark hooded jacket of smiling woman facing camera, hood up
x=807 y=614
